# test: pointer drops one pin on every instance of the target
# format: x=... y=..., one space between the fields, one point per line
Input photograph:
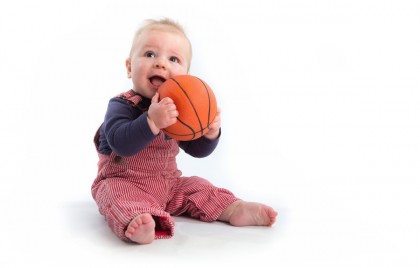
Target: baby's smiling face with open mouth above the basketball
x=158 y=55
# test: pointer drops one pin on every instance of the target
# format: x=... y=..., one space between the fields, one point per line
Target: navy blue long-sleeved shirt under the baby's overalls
x=125 y=131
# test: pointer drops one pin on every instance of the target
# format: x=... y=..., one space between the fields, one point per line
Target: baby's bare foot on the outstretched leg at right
x=242 y=213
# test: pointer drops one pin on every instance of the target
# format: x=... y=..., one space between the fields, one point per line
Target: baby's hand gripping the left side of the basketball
x=161 y=114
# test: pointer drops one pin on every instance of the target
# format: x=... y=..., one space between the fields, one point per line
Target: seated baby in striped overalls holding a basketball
x=139 y=187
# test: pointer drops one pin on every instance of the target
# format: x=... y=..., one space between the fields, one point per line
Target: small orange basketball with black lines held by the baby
x=196 y=105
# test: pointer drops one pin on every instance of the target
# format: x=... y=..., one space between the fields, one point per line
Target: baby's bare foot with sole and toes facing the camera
x=141 y=229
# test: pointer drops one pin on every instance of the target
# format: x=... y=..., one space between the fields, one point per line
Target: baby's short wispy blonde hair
x=160 y=25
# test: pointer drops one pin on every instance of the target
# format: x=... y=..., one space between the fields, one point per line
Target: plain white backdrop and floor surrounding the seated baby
x=321 y=119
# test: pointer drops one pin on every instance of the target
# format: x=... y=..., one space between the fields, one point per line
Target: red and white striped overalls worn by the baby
x=150 y=182
